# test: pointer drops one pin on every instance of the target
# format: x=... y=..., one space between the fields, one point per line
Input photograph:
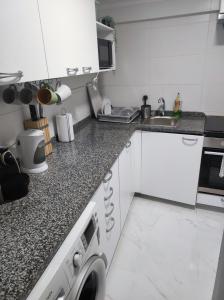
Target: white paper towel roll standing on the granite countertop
x=65 y=127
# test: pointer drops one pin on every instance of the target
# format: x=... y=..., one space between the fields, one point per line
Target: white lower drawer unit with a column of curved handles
x=107 y=199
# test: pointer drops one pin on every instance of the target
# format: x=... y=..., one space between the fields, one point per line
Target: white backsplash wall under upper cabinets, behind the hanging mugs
x=12 y=116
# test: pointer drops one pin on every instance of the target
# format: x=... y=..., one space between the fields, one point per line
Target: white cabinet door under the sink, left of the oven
x=170 y=166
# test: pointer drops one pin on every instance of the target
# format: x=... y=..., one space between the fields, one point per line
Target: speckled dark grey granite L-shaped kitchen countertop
x=33 y=228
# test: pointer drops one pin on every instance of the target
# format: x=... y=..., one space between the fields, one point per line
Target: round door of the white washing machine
x=91 y=282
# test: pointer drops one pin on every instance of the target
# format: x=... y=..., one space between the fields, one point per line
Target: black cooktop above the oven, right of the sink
x=214 y=126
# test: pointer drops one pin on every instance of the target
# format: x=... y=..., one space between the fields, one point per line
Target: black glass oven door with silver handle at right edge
x=211 y=180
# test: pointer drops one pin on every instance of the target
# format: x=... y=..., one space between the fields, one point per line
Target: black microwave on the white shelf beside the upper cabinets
x=105 y=54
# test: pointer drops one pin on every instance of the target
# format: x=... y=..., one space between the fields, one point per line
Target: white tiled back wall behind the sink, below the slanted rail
x=166 y=56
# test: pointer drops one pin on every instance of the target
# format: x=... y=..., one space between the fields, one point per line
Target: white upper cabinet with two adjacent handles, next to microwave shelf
x=70 y=38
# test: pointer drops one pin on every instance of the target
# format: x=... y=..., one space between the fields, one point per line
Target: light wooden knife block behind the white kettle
x=41 y=124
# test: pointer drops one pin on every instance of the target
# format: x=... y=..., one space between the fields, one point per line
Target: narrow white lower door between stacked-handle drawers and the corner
x=126 y=181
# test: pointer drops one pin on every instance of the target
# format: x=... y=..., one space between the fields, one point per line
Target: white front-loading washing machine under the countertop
x=78 y=270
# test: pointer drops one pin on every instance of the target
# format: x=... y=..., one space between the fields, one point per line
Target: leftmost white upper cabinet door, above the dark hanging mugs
x=22 y=47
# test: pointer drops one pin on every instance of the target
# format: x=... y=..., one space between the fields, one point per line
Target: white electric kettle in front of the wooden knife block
x=31 y=151
